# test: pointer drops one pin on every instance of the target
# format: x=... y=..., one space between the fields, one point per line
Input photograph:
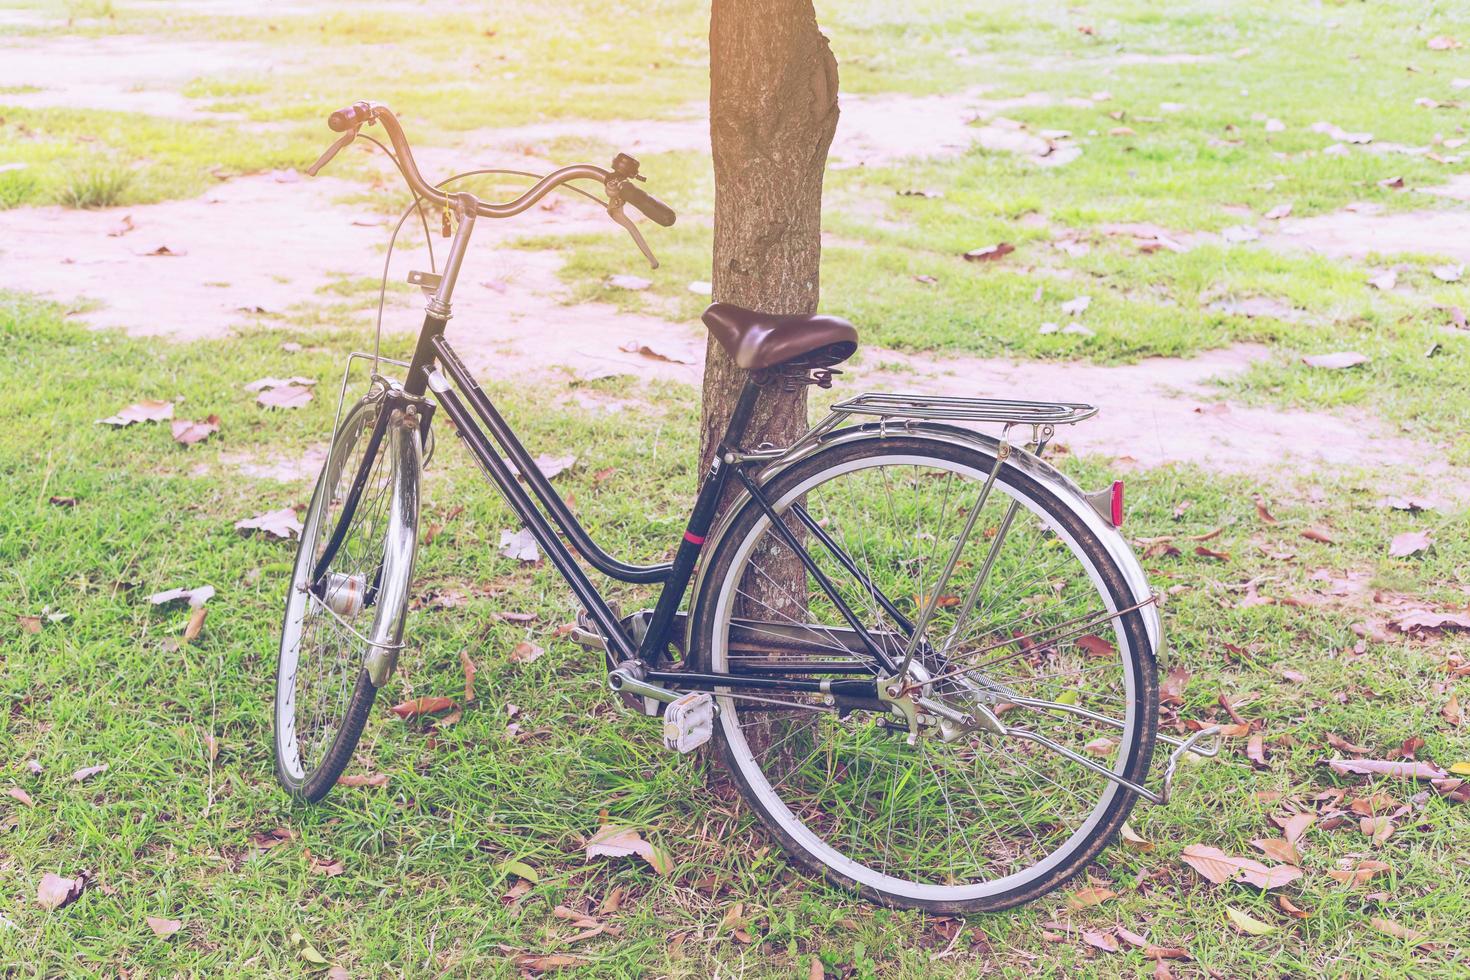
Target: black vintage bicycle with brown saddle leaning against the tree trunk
x=928 y=659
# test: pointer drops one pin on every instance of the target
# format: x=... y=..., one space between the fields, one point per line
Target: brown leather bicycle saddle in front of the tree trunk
x=764 y=340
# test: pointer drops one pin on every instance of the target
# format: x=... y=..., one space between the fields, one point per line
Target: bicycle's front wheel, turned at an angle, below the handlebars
x=349 y=594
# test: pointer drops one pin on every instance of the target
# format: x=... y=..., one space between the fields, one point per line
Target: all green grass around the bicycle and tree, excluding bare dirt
x=174 y=826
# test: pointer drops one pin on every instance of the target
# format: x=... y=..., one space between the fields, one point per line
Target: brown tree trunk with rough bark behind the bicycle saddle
x=772 y=117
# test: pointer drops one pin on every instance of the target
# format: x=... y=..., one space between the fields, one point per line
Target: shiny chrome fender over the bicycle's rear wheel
x=1033 y=466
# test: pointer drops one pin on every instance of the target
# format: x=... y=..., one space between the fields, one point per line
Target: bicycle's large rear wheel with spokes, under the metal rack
x=1037 y=625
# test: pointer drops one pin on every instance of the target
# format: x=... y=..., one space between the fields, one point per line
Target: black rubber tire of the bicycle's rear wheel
x=1144 y=665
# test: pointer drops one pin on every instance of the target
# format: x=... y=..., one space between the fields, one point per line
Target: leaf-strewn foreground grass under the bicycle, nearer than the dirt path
x=167 y=831
